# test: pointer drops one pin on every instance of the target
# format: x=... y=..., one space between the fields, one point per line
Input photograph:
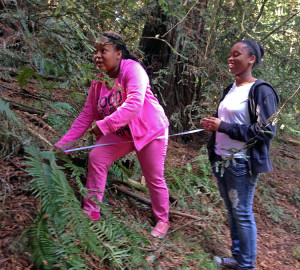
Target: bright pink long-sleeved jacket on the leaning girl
x=140 y=110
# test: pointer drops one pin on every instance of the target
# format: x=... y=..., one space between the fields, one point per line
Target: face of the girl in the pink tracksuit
x=106 y=57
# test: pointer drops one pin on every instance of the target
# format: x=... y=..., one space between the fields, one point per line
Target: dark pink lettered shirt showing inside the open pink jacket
x=107 y=104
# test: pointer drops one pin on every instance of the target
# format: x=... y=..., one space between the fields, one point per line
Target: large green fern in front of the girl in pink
x=61 y=237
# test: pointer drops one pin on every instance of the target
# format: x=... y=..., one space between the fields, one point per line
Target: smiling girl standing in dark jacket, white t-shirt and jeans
x=242 y=131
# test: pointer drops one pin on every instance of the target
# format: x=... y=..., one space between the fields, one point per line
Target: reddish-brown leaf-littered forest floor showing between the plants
x=276 y=203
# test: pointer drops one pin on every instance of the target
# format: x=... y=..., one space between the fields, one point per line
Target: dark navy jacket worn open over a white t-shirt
x=262 y=104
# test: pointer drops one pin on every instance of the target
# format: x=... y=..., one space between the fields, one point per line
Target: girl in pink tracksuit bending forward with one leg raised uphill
x=124 y=111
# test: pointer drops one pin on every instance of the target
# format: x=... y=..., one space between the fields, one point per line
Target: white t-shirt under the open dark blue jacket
x=233 y=109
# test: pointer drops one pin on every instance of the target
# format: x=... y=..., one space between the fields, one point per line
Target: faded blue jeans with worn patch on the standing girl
x=237 y=187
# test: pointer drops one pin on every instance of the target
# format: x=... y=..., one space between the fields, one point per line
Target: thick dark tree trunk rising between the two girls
x=175 y=77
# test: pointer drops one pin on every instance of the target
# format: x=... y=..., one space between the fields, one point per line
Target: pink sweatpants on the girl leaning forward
x=151 y=158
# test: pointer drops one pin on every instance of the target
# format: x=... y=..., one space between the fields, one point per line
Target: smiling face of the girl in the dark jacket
x=239 y=60
